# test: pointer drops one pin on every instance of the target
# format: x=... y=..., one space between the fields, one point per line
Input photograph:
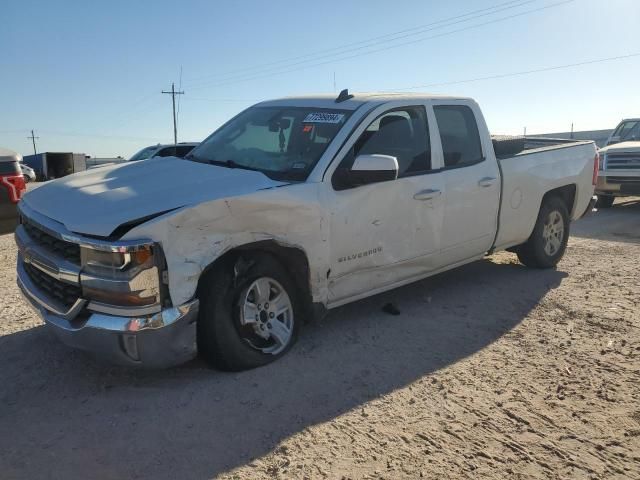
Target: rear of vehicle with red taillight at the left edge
x=12 y=186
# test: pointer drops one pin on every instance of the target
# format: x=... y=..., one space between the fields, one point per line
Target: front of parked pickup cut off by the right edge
x=620 y=164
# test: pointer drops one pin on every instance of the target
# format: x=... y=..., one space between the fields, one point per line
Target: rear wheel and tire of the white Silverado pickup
x=541 y=250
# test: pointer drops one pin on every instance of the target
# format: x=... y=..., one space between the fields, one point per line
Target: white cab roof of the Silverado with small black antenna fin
x=354 y=101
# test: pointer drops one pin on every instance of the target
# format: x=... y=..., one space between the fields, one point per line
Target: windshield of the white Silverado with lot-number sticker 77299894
x=284 y=143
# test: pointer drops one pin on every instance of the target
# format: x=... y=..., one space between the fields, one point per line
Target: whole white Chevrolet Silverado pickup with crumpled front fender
x=293 y=207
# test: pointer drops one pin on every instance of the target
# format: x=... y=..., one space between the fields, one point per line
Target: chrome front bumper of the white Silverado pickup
x=159 y=340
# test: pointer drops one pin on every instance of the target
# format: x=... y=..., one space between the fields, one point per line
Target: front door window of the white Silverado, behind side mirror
x=401 y=133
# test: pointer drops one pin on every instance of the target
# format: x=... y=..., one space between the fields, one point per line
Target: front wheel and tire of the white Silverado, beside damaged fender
x=230 y=296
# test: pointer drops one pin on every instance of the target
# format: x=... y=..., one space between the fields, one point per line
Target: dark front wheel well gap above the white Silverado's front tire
x=292 y=258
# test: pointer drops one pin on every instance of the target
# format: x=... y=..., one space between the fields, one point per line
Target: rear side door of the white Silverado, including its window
x=472 y=183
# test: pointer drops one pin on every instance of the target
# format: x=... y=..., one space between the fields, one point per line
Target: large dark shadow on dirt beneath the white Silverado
x=65 y=414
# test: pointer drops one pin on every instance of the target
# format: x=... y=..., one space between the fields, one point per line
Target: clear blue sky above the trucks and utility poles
x=87 y=76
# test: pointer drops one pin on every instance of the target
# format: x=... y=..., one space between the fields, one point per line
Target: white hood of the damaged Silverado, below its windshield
x=98 y=201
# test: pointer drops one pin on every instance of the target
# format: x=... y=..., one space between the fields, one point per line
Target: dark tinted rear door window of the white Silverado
x=458 y=134
